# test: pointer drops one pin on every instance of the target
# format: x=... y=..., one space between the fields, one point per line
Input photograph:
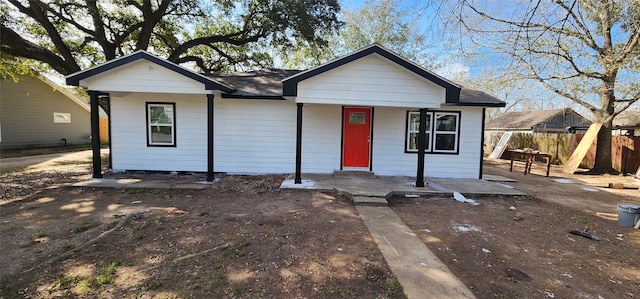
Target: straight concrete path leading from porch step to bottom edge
x=420 y=272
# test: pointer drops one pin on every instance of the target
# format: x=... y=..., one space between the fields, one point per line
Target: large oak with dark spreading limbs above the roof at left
x=214 y=36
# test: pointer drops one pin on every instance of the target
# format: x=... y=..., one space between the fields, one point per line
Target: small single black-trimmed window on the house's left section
x=161 y=124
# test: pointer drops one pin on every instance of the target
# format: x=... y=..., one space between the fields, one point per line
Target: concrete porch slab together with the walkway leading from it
x=420 y=272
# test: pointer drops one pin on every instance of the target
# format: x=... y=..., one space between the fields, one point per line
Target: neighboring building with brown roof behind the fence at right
x=538 y=121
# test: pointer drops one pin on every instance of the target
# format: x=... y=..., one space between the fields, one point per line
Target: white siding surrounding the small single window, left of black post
x=129 y=134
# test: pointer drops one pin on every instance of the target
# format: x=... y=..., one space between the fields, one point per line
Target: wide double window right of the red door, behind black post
x=442 y=132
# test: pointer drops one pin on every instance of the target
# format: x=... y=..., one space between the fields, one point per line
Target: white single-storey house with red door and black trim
x=360 y=112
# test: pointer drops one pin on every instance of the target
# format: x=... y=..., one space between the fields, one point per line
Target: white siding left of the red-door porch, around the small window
x=251 y=136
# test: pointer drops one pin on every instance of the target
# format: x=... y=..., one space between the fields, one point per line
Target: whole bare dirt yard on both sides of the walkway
x=244 y=238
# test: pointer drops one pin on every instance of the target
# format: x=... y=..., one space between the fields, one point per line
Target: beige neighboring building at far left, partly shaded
x=37 y=112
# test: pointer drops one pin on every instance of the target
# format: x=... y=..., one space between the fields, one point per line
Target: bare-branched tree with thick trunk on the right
x=587 y=51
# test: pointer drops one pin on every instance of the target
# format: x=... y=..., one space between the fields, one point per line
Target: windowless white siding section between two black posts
x=254 y=136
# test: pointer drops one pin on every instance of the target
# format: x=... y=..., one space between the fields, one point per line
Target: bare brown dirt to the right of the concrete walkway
x=520 y=247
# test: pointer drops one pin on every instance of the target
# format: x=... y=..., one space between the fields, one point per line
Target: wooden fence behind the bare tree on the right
x=625 y=150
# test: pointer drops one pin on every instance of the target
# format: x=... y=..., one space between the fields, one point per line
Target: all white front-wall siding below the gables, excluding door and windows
x=258 y=136
